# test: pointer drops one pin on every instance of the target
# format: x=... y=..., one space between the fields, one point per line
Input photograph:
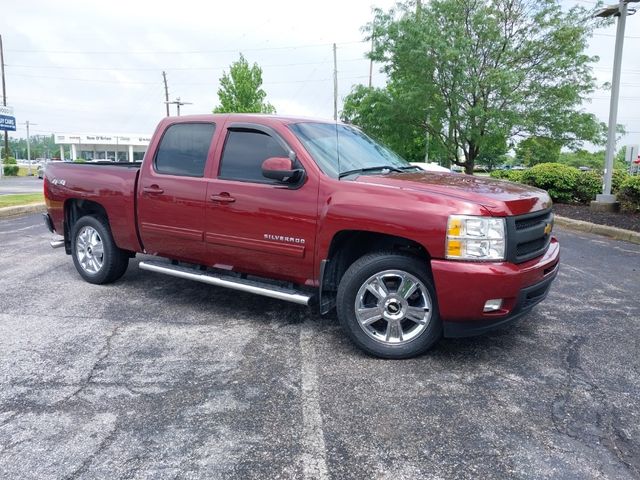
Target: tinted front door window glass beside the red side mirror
x=244 y=152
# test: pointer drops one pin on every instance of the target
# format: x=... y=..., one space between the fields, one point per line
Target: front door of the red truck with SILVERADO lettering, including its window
x=254 y=224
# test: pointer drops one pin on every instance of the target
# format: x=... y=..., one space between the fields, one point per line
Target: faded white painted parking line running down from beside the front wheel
x=314 y=452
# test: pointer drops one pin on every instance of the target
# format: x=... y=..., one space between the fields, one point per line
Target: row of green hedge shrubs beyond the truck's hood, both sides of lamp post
x=567 y=184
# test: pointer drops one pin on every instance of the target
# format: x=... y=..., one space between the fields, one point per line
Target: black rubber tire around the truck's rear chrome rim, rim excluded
x=114 y=260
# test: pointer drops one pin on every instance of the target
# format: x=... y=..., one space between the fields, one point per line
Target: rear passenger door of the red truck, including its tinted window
x=172 y=192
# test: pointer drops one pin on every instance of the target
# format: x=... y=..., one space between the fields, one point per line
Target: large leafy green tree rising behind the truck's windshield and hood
x=476 y=72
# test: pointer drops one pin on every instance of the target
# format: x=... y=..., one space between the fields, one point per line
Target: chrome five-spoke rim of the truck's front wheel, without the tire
x=393 y=307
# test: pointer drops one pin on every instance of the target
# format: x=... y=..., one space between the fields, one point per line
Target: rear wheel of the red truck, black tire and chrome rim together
x=95 y=254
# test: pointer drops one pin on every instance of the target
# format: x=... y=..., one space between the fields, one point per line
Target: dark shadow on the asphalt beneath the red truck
x=172 y=300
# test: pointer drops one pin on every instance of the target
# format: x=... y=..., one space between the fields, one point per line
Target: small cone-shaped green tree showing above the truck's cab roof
x=241 y=90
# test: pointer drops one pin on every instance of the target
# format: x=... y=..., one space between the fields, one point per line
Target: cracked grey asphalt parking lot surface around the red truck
x=156 y=377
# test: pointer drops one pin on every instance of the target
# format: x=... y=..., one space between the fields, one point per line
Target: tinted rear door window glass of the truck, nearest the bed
x=183 y=149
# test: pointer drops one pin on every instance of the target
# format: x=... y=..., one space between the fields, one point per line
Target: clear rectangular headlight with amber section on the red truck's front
x=475 y=238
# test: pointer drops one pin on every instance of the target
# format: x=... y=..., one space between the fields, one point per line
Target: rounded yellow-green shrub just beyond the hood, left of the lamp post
x=559 y=180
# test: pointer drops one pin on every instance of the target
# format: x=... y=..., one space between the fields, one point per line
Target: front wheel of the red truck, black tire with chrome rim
x=391 y=264
